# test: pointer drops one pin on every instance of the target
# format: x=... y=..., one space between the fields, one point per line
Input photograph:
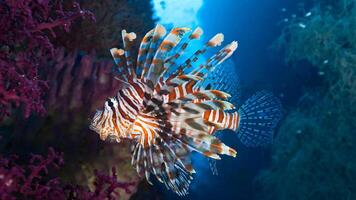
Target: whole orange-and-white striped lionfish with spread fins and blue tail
x=169 y=109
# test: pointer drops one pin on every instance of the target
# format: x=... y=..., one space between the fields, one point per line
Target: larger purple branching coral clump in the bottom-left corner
x=27 y=182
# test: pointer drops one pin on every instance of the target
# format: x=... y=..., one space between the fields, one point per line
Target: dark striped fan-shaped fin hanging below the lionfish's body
x=167 y=160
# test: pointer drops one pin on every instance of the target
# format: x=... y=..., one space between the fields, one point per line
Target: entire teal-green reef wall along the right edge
x=314 y=151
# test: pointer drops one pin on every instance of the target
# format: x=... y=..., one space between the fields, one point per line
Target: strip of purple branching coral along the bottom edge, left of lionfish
x=33 y=181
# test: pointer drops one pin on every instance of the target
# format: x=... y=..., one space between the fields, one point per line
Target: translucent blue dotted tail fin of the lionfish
x=259 y=115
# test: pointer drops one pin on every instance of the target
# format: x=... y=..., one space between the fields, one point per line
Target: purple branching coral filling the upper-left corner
x=26 y=27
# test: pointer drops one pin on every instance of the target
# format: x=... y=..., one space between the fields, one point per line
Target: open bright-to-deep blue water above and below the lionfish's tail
x=255 y=24
